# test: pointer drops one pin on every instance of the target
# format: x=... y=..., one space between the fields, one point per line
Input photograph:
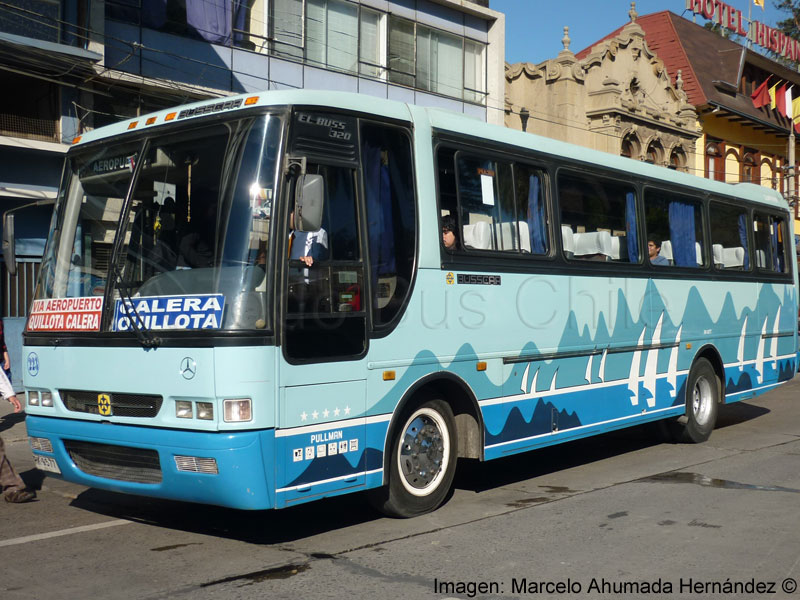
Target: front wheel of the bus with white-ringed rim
x=422 y=461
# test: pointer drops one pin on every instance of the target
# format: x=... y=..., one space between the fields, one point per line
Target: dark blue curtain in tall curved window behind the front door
x=377 y=183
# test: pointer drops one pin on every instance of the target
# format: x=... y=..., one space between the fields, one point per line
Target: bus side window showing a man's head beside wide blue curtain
x=674 y=224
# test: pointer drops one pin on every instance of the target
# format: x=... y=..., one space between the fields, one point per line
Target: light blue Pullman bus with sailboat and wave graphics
x=247 y=302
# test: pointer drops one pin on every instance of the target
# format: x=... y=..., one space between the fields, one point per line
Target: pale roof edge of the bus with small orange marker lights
x=438 y=119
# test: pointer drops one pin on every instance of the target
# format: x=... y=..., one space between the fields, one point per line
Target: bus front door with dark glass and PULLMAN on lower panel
x=322 y=382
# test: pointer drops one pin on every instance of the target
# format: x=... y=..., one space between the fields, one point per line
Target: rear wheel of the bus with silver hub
x=703 y=393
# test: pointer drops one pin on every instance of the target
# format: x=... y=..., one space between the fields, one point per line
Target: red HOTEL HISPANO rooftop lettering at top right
x=733 y=20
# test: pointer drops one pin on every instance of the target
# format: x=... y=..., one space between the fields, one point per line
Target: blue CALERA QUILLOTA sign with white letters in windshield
x=197 y=311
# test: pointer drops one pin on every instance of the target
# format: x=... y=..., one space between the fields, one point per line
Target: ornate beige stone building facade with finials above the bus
x=617 y=97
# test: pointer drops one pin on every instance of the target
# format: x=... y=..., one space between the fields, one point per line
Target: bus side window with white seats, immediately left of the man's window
x=598 y=219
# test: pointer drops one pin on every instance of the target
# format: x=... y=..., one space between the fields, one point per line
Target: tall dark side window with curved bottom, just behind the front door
x=391 y=217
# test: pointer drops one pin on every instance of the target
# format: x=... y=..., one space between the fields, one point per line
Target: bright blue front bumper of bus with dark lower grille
x=244 y=461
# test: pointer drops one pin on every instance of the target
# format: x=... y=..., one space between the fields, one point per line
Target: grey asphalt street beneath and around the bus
x=622 y=515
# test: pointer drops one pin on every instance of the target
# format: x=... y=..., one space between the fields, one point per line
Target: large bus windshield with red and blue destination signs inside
x=193 y=209
